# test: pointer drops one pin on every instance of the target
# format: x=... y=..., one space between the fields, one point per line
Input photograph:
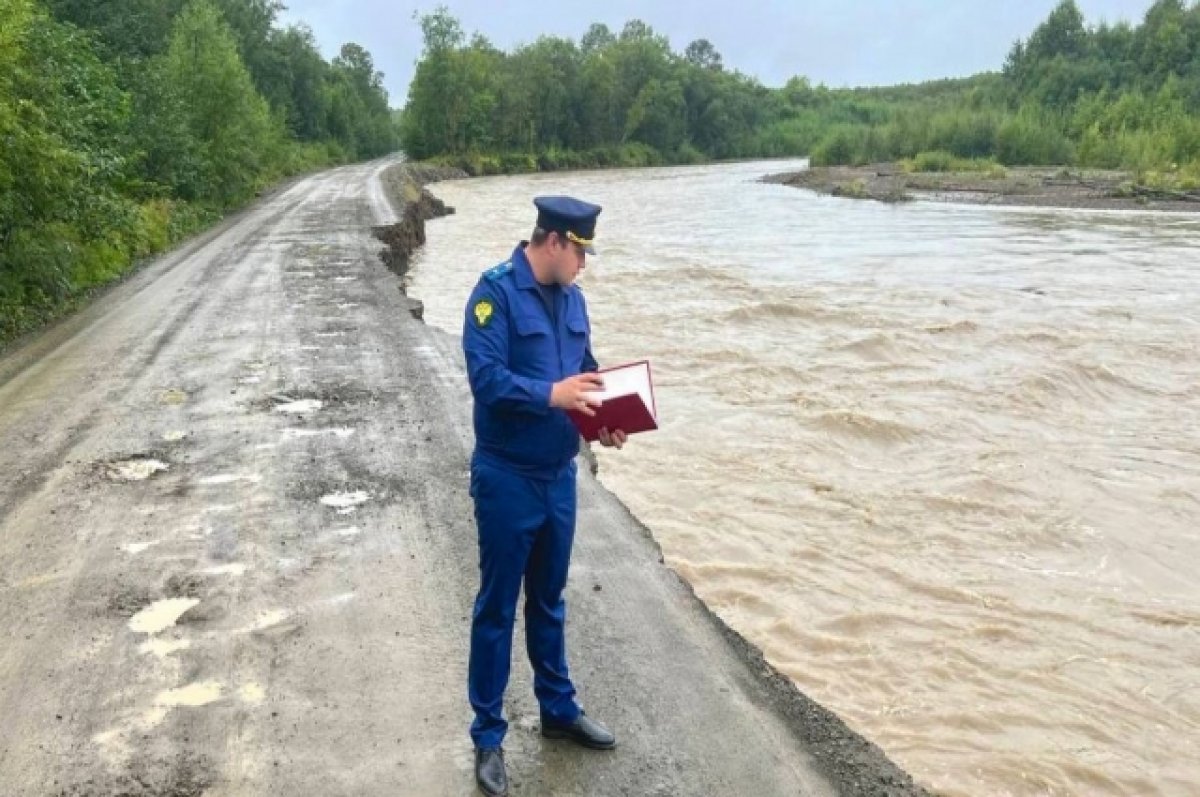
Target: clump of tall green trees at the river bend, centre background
x=619 y=98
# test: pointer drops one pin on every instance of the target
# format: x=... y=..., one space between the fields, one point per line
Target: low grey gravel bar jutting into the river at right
x=1017 y=187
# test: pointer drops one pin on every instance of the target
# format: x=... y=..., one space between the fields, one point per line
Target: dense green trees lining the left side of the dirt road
x=128 y=124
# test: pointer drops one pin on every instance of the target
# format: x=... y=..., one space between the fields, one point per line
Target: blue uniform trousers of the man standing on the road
x=526 y=530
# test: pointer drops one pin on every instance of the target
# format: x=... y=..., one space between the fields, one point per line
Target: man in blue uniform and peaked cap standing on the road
x=527 y=343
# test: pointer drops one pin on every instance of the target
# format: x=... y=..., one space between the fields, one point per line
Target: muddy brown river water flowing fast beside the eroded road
x=943 y=464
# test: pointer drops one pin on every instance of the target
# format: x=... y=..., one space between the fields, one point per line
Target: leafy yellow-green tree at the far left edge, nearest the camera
x=63 y=119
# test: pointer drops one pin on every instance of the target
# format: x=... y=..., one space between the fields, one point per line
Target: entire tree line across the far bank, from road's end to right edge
x=1119 y=97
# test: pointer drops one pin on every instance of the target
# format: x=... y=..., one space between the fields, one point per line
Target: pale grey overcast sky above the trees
x=837 y=43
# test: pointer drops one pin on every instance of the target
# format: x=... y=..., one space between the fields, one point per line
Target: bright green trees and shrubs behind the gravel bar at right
x=1111 y=97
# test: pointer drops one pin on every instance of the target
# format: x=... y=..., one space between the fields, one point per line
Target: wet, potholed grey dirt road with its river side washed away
x=237 y=555
